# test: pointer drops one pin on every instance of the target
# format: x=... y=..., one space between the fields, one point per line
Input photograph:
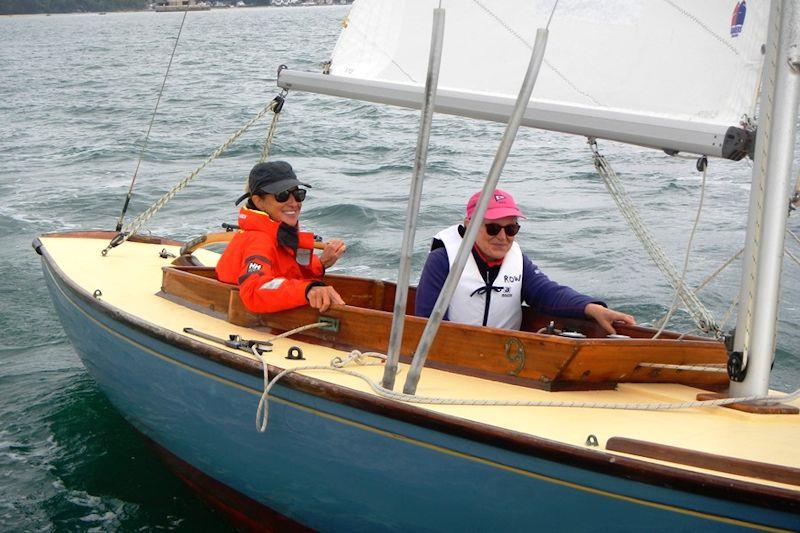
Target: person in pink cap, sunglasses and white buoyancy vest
x=498 y=277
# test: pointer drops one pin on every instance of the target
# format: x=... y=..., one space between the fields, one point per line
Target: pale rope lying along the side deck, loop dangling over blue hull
x=337 y=365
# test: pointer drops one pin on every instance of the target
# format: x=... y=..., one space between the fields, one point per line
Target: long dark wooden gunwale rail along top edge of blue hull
x=669 y=477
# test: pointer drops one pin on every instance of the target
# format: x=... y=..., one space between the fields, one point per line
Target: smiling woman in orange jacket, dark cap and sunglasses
x=271 y=260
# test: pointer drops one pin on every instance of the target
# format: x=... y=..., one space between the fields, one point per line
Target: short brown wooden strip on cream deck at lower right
x=709 y=461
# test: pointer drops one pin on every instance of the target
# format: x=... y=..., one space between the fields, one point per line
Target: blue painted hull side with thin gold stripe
x=332 y=465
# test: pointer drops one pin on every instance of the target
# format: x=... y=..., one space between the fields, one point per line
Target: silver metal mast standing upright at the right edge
x=754 y=344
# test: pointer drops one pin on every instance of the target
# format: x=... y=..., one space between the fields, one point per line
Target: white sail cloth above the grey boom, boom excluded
x=681 y=59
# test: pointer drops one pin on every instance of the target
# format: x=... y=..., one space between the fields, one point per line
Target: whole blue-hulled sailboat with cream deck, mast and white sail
x=555 y=426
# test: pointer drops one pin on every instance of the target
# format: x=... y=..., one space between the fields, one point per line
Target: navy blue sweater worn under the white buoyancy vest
x=538 y=291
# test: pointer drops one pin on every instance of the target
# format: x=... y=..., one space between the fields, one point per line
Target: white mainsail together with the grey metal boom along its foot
x=670 y=74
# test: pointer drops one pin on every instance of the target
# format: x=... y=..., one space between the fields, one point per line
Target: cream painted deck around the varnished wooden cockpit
x=130 y=276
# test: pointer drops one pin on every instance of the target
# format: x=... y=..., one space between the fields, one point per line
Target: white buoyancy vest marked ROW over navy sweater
x=468 y=305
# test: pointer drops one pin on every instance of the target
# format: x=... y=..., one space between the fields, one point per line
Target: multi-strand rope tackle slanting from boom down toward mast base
x=697 y=310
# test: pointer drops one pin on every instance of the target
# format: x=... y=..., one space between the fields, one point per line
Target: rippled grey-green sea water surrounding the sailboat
x=76 y=96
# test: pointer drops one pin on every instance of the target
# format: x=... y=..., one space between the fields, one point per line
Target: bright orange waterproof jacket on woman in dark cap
x=273 y=263
